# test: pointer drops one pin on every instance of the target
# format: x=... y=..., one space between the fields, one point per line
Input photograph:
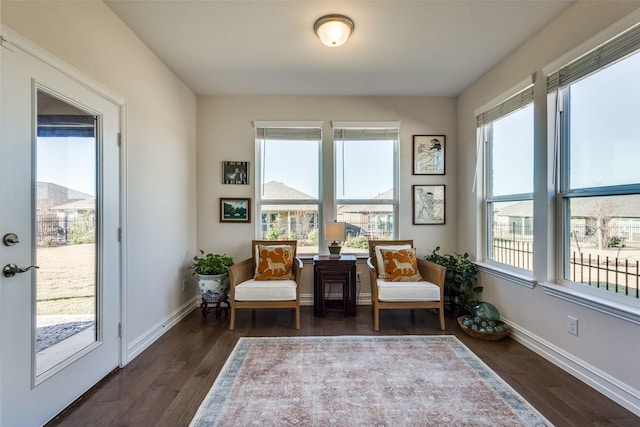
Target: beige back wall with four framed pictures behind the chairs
x=225 y=132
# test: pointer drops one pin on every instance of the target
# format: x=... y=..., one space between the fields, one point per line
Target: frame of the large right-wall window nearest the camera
x=608 y=47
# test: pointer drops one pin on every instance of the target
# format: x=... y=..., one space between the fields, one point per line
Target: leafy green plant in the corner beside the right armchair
x=461 y=291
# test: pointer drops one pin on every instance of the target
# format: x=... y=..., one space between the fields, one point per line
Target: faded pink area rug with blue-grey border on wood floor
x=361 y=381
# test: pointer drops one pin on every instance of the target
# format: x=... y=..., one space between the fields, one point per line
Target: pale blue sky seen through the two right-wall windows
x=605 y=134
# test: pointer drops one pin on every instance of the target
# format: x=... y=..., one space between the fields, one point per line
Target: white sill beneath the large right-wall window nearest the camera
x=594 y=302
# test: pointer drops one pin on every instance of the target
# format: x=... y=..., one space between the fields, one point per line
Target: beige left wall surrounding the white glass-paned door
x=160 y=149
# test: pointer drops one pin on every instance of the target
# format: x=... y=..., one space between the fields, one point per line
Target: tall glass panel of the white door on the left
x=65 y=225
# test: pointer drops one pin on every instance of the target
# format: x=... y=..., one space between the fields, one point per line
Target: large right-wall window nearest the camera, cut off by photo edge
x=598 y=98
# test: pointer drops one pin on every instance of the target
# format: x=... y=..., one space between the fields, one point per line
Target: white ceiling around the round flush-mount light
x=398 y=47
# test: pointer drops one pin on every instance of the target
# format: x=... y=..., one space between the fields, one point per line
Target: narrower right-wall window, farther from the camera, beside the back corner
x=507 y=131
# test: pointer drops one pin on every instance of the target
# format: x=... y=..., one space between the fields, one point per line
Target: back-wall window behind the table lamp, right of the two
x=365 y=183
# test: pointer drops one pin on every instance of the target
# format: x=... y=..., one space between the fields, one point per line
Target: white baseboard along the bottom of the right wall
x=616 y=390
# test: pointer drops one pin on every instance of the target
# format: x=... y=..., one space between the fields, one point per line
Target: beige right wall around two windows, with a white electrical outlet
x=607 y=347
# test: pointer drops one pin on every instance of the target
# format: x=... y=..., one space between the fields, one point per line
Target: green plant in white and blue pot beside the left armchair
x=213 y=275
